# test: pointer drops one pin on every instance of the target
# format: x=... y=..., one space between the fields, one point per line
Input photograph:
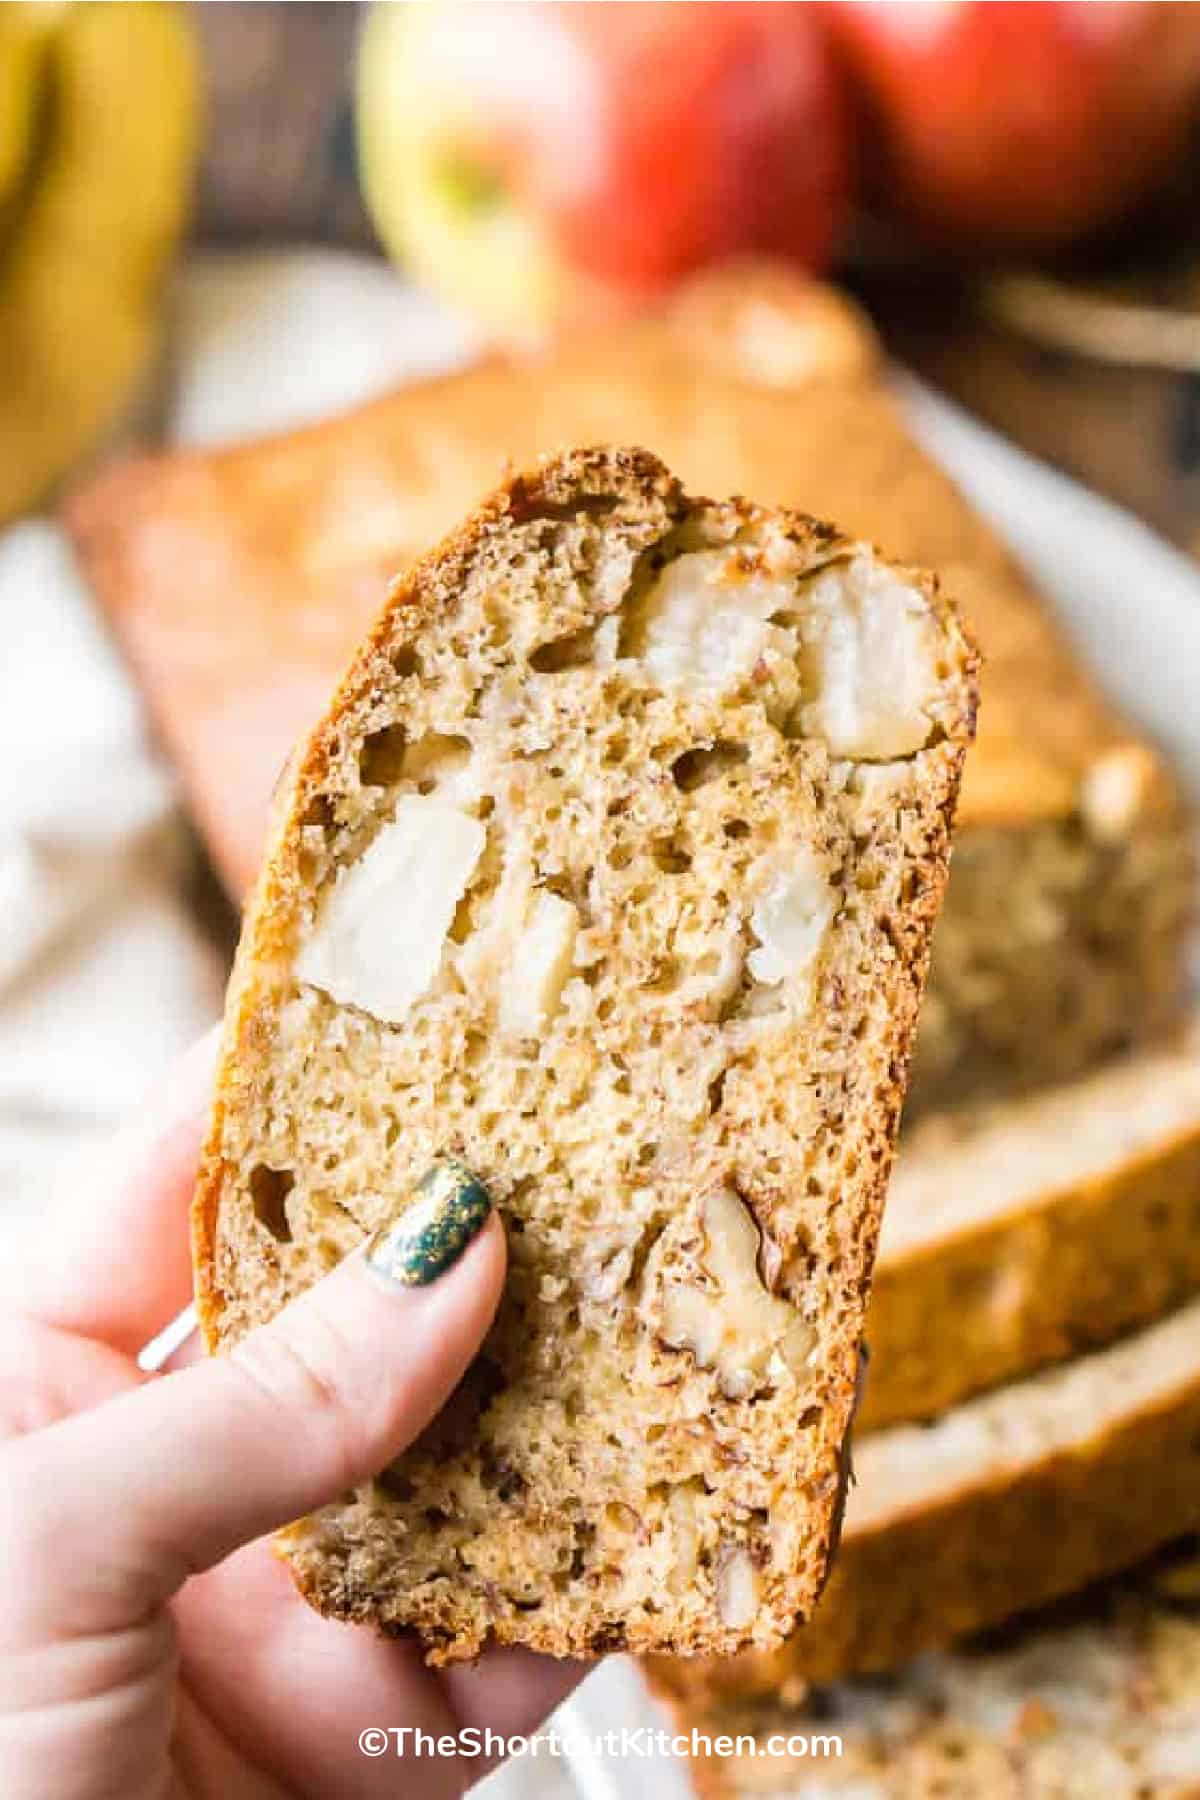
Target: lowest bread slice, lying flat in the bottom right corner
x=1098 y=1700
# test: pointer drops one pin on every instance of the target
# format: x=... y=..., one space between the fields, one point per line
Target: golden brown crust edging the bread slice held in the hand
x=242 y=1275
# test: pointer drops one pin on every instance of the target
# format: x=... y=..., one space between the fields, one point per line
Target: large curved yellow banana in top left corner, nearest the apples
x=96 y=215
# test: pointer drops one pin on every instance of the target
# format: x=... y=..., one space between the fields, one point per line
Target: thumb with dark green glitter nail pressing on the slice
x=165 y=1480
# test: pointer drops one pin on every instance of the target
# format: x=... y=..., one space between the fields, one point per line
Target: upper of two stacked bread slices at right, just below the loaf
x=1035 y=1230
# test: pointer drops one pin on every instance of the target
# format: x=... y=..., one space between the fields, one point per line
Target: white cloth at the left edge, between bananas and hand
x=102 y=973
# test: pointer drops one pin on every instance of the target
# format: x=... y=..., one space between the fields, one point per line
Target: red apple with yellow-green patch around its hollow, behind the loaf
x=528 y=159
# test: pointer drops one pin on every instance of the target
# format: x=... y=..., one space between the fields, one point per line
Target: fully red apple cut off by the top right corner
x=1023 y=125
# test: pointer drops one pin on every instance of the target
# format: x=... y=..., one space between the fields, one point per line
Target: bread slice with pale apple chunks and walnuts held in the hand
x=613 y=872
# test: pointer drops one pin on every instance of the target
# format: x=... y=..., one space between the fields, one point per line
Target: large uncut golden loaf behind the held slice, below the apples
x=240 y=580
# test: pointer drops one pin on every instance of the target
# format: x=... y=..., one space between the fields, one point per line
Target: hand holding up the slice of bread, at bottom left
x=152 y=1646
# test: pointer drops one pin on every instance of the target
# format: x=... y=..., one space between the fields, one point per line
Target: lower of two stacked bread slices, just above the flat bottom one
x=998 y=1507
